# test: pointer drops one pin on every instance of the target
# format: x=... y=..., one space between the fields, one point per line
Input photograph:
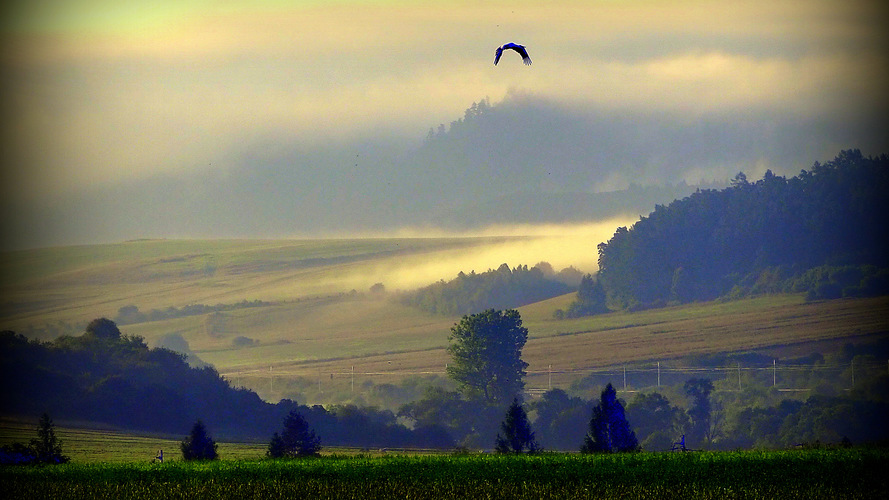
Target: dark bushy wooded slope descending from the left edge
x=107 y=378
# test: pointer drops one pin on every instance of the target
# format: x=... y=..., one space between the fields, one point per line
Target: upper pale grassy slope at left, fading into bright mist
x=77 y=284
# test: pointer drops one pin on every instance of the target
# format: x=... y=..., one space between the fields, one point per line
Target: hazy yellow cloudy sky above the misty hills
x=99 y=94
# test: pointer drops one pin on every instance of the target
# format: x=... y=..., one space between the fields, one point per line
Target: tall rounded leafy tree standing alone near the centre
x=486 y=349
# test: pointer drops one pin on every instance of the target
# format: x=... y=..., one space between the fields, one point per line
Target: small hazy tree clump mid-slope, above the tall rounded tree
x=502 y=288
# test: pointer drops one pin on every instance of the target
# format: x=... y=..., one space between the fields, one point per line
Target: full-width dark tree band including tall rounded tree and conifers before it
x=105 y=377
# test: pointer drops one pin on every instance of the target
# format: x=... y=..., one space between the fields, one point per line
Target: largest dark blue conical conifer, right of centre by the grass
x=609 y=430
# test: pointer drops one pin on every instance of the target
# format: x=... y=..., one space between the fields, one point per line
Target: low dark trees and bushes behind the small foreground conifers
x=112 y=379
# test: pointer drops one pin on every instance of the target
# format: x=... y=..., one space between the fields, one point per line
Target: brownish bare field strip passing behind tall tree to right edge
x=761 y=327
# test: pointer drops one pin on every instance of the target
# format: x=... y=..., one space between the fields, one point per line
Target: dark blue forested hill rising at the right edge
x=822 y=232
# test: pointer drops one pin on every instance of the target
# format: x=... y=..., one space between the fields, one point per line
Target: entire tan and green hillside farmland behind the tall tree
x=319 y=320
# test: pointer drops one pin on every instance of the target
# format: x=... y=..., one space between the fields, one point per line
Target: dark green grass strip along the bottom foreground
x=809 y=474
